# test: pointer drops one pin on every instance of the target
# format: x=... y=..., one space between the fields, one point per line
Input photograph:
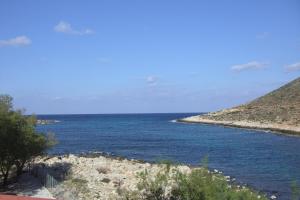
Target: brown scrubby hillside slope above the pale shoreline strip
x=280 y=106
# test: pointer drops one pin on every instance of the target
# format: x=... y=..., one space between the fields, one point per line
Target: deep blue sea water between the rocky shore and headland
x=265 y=161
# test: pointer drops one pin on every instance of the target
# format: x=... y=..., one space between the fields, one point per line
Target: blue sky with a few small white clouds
x=139 y=56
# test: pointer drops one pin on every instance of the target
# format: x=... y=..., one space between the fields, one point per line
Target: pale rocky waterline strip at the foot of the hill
x=277 y=128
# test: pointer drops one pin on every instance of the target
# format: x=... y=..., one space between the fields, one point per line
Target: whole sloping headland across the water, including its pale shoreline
x=278 y=110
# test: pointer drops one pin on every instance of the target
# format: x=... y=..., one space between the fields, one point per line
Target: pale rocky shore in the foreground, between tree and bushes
x=94 y=176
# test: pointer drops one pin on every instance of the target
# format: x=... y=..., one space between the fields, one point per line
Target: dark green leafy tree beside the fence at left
x=19 y=141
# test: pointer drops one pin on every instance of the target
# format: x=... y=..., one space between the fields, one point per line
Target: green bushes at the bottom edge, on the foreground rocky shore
x=200 y=184
